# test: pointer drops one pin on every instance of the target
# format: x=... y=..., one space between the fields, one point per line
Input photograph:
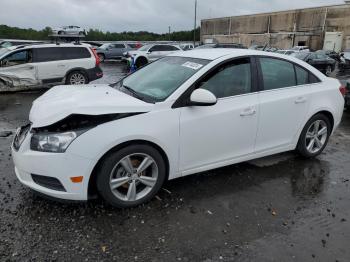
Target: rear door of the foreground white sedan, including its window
x=284 y=101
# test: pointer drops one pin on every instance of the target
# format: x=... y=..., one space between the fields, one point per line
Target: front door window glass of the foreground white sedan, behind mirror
x=231 y=79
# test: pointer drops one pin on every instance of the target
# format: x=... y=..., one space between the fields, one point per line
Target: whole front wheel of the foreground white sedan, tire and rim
x=112 y=169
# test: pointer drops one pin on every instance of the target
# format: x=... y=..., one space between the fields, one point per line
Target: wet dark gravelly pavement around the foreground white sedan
x=281 y=208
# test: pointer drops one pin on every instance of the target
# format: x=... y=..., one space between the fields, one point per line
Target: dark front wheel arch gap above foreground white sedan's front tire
x=92 y=190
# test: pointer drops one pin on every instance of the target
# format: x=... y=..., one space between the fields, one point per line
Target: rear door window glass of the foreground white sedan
x=277 y=73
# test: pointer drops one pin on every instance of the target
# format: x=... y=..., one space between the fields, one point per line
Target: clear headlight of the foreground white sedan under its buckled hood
x=54 y=143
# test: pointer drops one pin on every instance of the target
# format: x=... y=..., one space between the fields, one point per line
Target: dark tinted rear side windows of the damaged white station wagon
x=48 y=54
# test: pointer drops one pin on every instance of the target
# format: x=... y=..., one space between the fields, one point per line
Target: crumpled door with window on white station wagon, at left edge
x=18 y=68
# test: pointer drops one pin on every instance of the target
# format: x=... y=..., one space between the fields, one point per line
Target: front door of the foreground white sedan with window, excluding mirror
x=214 y=135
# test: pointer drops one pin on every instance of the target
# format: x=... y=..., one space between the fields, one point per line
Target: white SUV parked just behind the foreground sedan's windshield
x=150 y=53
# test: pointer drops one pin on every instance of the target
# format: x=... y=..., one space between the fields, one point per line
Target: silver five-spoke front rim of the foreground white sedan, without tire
x=133 y=177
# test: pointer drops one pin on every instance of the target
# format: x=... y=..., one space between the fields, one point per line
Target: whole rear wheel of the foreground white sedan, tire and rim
x=306 y=147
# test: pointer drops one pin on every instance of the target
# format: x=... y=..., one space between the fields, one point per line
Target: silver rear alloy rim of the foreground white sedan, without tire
x=316 y=136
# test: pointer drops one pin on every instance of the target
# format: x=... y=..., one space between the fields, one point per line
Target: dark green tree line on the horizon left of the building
x=97 y=35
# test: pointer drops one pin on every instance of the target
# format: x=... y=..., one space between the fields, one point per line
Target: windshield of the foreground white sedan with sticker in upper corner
x=160 y=79
